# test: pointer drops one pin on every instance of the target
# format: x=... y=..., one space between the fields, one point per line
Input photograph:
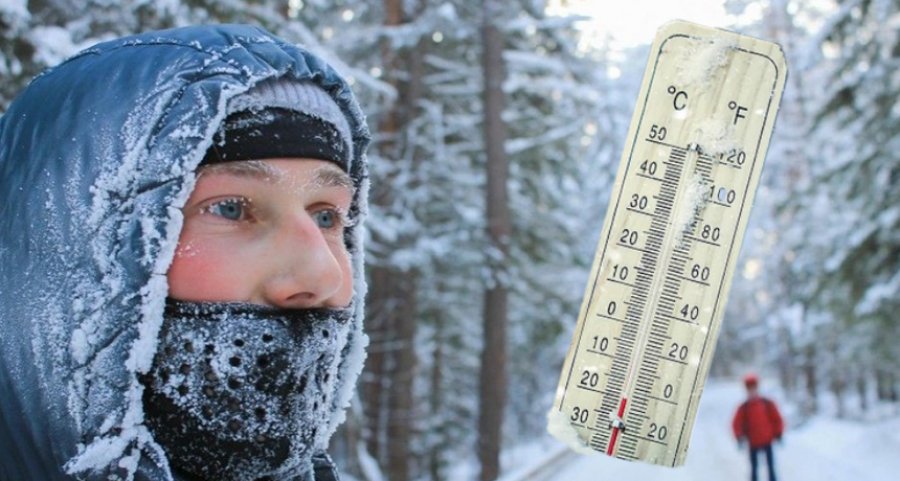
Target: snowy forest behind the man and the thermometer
x=497 y=133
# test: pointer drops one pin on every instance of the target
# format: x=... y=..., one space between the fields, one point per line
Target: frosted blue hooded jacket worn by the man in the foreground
x=97 y=156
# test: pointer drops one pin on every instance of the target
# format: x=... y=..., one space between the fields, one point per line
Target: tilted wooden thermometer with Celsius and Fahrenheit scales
x=633 y=376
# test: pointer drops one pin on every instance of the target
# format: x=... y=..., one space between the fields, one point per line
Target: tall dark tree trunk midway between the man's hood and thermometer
x=492 y=378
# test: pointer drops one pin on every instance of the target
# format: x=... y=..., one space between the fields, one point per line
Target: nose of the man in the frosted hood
x=305 y=269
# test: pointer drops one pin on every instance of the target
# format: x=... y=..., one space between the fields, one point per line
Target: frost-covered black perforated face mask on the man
x=239 y=392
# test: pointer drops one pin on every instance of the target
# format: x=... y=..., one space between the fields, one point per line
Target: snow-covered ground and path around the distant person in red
x=821 y=449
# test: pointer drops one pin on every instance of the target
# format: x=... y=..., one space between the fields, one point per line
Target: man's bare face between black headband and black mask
x=267 y=232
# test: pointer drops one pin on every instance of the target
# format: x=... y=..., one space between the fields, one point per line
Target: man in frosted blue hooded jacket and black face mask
x=181 y=283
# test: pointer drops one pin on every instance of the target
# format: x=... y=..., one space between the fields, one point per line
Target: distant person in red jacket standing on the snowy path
x=757 y=422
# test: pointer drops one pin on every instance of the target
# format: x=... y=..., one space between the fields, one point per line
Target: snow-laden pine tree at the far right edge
x=858 y=180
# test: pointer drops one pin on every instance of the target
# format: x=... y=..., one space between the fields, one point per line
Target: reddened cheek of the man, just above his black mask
x=200 y=272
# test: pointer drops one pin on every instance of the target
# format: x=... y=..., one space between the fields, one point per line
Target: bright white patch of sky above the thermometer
x=635 y=22
